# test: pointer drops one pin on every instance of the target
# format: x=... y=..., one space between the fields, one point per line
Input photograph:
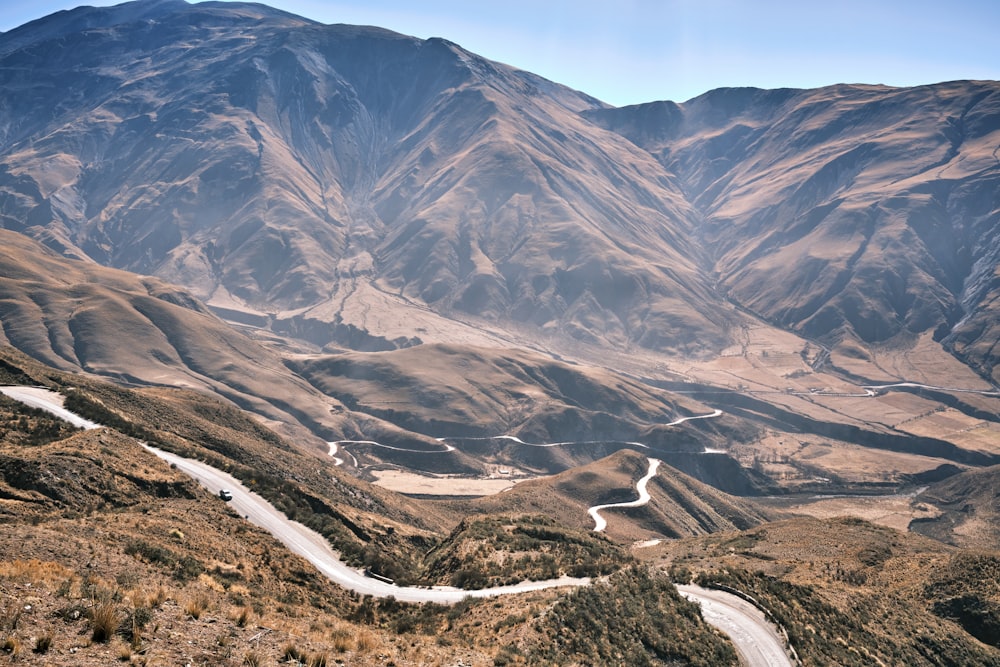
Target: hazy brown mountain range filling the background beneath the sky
x=310 y=178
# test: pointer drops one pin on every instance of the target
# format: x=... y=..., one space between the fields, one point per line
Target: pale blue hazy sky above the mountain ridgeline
x=631 y=51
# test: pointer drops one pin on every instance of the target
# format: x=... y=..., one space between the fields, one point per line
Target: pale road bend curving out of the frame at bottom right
x=756 y=640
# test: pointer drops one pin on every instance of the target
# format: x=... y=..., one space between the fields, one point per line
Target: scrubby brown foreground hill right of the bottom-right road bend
x=851 y=593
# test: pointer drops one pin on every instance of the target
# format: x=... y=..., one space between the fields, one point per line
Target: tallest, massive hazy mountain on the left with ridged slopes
x=275 y=165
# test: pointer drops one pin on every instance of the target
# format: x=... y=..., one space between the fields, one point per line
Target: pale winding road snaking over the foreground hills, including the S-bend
x=756 y=640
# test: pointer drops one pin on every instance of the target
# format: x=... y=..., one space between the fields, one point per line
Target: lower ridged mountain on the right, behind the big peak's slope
x=860 y=211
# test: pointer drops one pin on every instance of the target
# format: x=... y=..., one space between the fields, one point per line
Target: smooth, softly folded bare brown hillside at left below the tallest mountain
x=80 y=316
